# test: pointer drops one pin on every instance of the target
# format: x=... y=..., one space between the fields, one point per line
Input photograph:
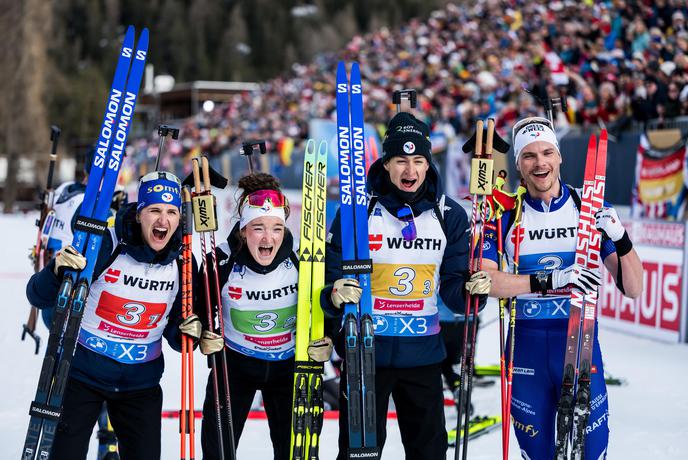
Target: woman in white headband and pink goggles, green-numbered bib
x=257 y=270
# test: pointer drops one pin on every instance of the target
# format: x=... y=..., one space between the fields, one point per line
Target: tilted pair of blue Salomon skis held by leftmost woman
x=46 y=408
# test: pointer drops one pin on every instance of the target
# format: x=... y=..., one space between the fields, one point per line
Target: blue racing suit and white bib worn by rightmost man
x=548 y=243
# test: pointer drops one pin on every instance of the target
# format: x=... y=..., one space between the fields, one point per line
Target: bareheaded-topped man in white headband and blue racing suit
x=547 y=255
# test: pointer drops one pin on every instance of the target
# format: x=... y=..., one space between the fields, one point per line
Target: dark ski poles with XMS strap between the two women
x=204 y=221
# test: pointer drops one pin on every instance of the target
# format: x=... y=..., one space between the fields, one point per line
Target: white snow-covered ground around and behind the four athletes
x=648 y=415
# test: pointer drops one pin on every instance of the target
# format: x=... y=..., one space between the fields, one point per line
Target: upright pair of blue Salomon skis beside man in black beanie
x=358 y=323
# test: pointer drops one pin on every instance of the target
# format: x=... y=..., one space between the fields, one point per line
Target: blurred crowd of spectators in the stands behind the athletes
x=617 y=62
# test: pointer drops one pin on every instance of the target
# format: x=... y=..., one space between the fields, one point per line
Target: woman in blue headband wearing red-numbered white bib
x=134 y=301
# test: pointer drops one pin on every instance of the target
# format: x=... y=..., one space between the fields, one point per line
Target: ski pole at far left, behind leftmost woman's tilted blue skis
x=40 y=249
